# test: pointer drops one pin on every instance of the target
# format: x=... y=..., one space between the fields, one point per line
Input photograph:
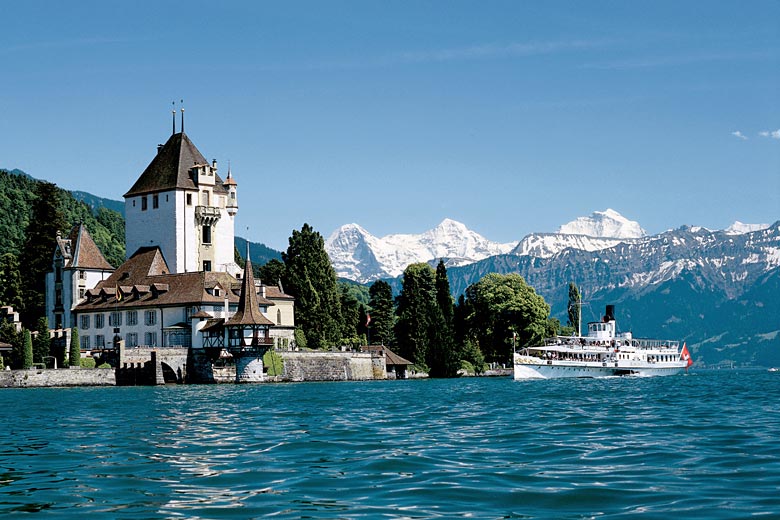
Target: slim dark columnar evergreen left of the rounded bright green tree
x=442 y=358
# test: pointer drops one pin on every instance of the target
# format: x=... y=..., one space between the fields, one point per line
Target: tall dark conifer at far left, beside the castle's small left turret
x=41 y=240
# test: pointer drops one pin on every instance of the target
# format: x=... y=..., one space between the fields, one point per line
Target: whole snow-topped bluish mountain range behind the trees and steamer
x=715 y=289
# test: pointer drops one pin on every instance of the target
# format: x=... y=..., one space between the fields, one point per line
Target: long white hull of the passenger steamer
x=550 y=369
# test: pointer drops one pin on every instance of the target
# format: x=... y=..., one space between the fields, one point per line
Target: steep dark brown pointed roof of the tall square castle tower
x=170 y=169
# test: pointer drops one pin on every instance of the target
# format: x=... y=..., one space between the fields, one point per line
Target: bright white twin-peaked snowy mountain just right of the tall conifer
x=358 y=255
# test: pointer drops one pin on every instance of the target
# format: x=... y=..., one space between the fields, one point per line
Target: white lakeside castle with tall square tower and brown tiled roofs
x=180 y=285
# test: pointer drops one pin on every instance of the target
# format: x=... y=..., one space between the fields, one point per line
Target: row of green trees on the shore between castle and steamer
x=423 y=323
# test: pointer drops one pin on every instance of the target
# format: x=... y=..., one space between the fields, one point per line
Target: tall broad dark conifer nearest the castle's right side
x=312 y=280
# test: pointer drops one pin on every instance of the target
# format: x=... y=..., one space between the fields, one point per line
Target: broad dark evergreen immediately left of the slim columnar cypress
x=417 y=313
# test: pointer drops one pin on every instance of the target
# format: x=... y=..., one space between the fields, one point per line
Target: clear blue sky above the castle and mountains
x=511 y=117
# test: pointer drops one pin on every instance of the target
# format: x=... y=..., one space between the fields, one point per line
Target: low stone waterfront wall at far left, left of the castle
x=53 y=378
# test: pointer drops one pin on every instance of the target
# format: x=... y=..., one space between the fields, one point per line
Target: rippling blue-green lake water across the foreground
x=705 y=445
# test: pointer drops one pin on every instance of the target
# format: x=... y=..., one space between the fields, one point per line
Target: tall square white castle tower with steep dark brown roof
x=180 y=204
